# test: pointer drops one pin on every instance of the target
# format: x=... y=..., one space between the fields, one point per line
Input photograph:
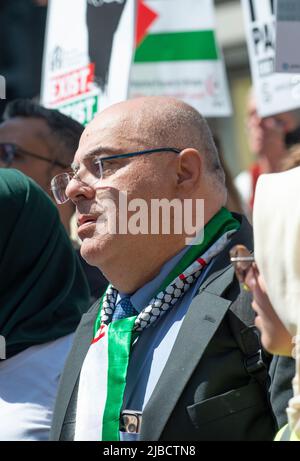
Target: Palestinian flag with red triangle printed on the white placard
x=175 y=30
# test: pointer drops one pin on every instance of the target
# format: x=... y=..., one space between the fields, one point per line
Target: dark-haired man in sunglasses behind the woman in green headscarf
x=41 y=143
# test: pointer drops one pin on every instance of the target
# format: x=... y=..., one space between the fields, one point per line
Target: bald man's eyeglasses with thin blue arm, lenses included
x=95 y=169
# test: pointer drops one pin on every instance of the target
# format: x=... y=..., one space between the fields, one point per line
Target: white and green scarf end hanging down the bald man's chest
x=102 y=382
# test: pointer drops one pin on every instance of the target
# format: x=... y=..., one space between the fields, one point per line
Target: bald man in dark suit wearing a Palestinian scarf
x=169 y=352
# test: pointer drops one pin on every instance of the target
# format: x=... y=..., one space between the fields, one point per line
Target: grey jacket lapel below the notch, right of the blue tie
x=207 y=312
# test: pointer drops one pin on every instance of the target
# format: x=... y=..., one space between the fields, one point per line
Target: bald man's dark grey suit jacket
x=205 y=391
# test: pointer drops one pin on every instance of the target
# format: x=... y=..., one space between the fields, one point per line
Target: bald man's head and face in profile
x=170 y=178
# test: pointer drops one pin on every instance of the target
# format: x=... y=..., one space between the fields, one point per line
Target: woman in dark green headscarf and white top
x=43 y=293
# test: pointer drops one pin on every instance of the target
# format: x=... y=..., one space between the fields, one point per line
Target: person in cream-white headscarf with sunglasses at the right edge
x=274 y=276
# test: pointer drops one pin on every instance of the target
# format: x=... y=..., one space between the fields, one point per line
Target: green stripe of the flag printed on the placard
x=178 y=46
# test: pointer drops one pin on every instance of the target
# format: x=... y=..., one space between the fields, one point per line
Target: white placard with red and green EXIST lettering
x=87 y=56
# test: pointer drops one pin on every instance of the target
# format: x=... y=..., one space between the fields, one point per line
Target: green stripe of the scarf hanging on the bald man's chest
x=119 y=345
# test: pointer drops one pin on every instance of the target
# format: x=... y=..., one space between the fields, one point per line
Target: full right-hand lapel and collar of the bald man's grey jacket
x=207 y=312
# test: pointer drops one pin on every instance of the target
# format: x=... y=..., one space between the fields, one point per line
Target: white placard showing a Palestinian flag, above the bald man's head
x=177 y=55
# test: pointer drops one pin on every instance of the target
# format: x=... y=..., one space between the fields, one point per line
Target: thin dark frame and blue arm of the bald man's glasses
x=60 y=182
